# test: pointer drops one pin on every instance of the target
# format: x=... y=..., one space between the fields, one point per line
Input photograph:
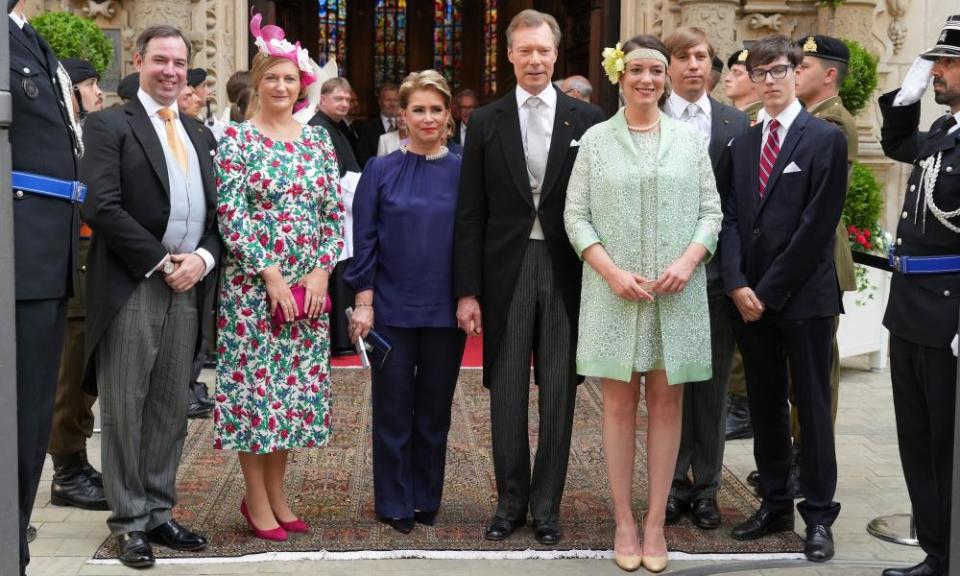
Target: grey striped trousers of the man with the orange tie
x=143 y=365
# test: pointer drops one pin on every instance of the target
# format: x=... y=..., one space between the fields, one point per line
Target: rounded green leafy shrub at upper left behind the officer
x=72 y=36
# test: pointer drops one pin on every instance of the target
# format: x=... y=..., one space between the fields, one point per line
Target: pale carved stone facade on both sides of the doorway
x=895 y=30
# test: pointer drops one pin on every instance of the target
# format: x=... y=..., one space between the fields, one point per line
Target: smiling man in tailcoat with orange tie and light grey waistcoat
x=151 y=206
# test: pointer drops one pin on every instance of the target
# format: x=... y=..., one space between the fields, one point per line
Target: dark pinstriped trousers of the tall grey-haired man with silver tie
x=537 y=324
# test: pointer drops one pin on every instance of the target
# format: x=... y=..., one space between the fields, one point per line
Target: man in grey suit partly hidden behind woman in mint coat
x=704 y=403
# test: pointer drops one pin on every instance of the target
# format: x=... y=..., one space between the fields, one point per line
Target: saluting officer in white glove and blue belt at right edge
x=924 y=299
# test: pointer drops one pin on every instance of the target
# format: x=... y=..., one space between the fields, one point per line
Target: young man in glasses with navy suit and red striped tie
x=788 y=184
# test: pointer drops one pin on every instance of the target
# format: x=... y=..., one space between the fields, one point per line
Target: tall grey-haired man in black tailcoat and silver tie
x=513 y=257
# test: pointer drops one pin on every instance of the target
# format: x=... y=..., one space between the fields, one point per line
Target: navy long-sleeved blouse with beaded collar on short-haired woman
x=403 y=216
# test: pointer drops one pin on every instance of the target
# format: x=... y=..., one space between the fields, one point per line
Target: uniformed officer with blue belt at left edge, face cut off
x=45 y=141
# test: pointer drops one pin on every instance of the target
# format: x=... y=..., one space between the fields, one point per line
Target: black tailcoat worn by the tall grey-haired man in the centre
x=495 y=211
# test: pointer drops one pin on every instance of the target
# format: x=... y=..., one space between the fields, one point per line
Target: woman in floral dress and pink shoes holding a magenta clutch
x=280 y=219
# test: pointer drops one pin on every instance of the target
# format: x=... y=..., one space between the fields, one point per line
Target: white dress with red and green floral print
x=278 y=205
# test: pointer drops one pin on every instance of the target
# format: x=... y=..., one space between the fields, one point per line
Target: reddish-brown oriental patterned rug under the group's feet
x=332 y=488
